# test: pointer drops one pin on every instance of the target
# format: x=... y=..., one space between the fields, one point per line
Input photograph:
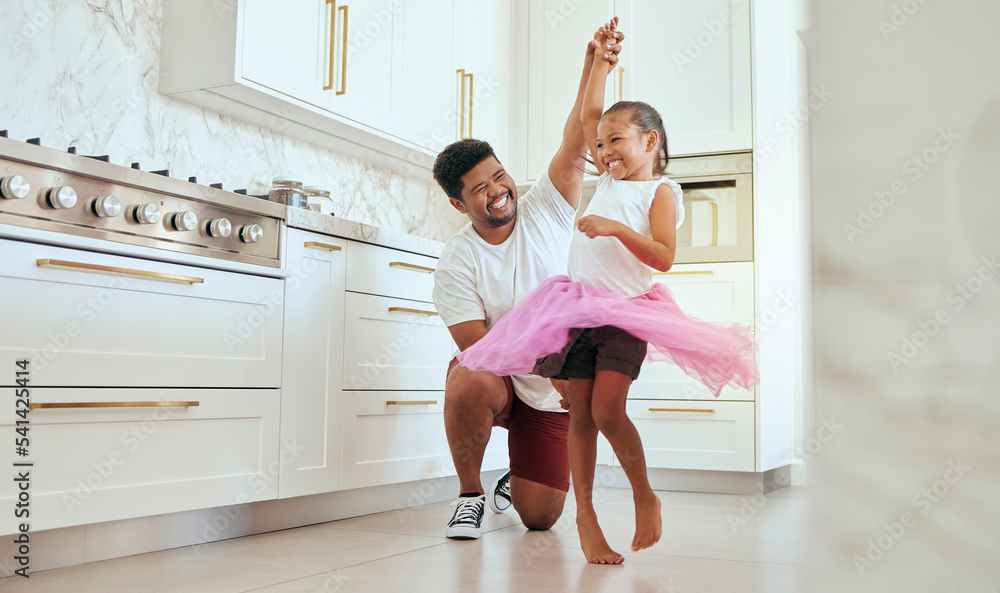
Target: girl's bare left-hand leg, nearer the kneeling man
x=582 y=442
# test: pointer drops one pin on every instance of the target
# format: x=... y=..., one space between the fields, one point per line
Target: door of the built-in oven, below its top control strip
x=718 y=219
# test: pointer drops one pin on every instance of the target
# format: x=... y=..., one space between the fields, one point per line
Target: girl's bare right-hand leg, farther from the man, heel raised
x=608 y=408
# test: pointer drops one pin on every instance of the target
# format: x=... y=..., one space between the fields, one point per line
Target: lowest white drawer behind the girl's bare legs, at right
x=695 y=435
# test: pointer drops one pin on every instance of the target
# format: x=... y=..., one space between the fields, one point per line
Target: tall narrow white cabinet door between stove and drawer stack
x=312 y=367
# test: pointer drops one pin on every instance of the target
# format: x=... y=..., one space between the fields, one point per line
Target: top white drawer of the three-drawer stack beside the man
x=389 y=272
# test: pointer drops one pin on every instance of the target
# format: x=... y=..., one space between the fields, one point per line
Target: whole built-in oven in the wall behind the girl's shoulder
x=718 y=208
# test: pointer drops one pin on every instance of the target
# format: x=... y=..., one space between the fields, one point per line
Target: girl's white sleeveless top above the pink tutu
x=604 y=262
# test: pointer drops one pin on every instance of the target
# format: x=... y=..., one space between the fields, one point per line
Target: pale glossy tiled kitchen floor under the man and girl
x=711 y=543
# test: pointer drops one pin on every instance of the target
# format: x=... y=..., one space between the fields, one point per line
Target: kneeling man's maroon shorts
x=536 y=440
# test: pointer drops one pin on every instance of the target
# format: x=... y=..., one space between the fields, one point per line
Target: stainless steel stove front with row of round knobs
x=87 y=196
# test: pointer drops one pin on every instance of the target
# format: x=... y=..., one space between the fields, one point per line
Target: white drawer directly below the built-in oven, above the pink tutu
x=713 y=292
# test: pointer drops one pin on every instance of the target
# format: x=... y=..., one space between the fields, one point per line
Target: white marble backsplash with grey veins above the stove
x=85 y=74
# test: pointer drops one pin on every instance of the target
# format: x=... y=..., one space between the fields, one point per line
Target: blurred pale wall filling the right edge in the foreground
x=908 y=398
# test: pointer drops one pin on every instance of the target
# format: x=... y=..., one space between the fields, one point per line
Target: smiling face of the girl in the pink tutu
x=626 y=153
